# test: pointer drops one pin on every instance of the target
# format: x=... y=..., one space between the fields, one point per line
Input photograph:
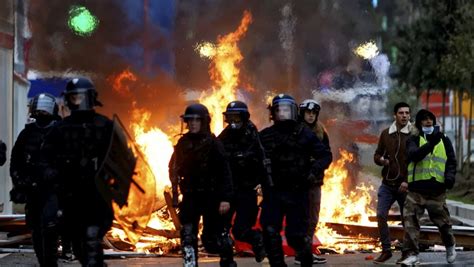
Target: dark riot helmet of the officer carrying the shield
x=80 y=94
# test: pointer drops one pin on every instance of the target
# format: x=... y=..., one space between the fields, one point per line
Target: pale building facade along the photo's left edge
x=13 y=86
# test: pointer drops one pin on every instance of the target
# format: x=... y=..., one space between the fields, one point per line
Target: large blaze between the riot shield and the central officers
x=156 y=146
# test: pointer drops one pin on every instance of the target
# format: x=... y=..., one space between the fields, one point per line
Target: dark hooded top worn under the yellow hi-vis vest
x=415 y=153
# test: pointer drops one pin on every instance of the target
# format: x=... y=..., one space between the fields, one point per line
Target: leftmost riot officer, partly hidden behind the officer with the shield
x=29 y=186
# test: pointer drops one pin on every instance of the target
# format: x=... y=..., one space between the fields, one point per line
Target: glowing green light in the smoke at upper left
x=81 y=21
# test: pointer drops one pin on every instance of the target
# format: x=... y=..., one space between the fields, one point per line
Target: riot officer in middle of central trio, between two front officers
x=243 y=148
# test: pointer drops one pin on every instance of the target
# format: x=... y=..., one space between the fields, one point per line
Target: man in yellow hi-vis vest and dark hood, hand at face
x=431 y=170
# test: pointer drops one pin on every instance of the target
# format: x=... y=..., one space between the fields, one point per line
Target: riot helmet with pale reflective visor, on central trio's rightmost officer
x=283 y=108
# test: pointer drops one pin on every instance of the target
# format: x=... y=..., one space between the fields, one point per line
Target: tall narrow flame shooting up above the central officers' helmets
x=223 y=70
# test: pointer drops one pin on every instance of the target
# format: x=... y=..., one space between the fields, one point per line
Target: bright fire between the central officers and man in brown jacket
x=337 y=206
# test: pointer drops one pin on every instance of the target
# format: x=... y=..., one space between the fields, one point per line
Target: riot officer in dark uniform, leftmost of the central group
x=200 y=167
